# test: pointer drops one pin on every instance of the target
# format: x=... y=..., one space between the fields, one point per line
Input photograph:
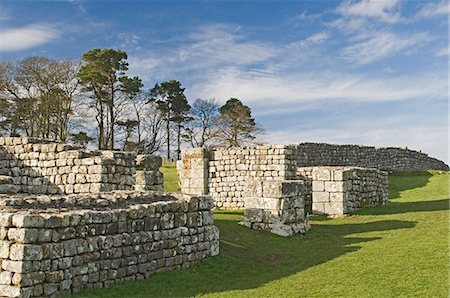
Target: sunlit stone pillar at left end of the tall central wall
x=193 y=171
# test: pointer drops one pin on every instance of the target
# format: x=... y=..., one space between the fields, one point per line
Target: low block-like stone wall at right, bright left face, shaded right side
x=337 y=191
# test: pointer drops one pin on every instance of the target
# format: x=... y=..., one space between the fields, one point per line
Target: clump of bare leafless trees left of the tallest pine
x=40 y=94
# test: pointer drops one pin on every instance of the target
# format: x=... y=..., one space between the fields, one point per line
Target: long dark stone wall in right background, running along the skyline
x=321 y=154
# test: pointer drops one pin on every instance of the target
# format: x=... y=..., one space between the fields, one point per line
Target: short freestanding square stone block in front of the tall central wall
x=276 y=207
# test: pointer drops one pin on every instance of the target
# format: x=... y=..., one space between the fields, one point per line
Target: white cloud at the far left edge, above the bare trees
x=17 y=39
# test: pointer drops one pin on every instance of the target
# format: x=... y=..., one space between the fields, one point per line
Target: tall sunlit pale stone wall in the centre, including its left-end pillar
x=224 y=173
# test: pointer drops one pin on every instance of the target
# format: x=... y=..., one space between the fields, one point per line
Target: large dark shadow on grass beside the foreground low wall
x=249 y=259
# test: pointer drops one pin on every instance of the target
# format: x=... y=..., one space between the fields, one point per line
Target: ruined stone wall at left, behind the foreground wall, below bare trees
x=29 y=165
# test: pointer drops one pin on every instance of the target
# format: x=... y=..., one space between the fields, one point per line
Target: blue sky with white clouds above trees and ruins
x=344 y=72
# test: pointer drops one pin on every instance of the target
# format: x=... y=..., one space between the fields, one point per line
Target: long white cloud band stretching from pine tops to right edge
x=288 y=92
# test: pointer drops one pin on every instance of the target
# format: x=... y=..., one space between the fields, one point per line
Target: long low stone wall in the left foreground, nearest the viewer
x=67 y=243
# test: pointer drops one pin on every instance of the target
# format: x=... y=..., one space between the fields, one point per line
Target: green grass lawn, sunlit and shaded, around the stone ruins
x=400 y=250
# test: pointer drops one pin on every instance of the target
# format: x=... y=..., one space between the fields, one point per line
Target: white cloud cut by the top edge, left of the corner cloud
x=385 y=10
